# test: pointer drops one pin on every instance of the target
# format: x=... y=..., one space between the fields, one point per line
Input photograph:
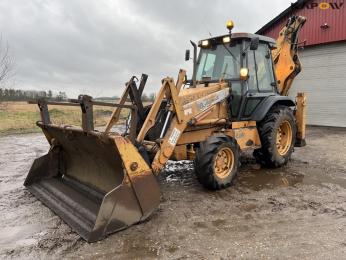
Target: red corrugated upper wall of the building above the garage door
x=334 y=15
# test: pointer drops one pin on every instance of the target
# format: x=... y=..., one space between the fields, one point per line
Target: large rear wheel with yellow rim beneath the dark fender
x=277 y=132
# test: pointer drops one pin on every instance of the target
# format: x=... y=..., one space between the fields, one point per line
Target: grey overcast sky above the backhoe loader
x=94 y=47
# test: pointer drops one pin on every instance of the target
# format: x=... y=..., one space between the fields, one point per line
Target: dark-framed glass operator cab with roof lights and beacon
x=242 y=59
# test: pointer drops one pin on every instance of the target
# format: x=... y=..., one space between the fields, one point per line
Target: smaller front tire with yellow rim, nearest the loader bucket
x=217 y=162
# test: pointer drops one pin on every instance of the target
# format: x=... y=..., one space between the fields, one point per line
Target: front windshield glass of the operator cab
x=220 y=62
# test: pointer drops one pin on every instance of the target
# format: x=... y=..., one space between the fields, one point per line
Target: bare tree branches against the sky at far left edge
x=6 y=62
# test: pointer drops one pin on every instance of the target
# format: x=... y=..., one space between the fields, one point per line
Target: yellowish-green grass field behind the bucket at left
x=21 y=117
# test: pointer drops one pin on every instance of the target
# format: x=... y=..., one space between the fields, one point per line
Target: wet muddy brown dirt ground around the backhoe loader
x=298 y=211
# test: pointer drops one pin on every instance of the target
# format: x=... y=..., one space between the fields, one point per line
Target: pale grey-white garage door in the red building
x=323 y=77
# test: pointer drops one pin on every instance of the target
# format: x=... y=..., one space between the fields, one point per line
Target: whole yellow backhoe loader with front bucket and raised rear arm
x=100 y=182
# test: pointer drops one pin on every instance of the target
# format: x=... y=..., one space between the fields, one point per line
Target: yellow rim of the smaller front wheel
x=224 y=162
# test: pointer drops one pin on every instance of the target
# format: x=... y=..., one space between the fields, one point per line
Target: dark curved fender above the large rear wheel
x=268 y=103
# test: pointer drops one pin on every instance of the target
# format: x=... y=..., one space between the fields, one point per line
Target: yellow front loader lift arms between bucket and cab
x=184 y=116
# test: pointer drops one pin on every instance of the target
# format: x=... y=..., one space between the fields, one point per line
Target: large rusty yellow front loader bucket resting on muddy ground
x=97 y=183
